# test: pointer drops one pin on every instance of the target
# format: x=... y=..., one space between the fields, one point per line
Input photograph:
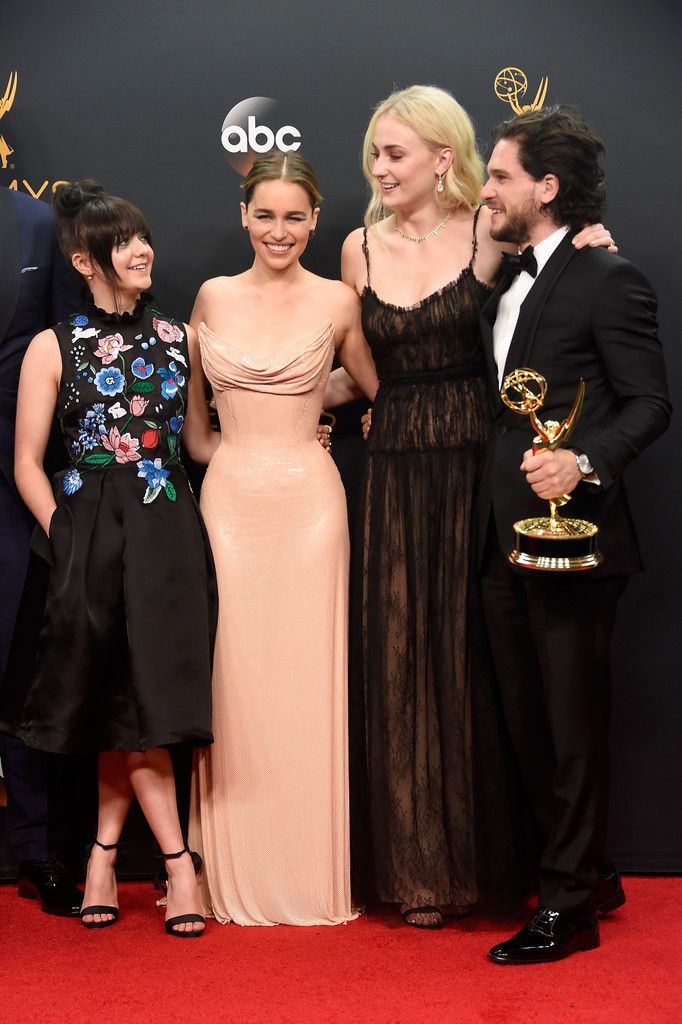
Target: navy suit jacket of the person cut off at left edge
x=36 y=291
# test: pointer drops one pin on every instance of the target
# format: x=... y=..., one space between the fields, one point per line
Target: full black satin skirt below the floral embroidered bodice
x=125 y=652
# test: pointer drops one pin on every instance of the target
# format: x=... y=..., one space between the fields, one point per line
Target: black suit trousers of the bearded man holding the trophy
x=550 y=634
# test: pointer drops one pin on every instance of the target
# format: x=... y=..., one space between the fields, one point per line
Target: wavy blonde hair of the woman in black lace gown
x=441 y=122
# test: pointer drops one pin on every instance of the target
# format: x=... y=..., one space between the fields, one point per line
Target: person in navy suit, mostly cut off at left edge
x=36 y=291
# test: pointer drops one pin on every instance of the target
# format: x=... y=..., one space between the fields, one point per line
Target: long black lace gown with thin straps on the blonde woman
x=441 y=797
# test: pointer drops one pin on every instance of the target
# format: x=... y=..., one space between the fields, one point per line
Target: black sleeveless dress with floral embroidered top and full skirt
x=124 y=658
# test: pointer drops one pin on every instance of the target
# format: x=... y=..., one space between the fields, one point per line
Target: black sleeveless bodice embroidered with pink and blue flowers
x=123 y=395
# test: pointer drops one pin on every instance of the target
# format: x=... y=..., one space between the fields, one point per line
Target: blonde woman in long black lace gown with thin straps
x=442 y=816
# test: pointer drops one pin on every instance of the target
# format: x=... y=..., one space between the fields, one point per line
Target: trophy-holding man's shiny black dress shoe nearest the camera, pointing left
x=548 y=936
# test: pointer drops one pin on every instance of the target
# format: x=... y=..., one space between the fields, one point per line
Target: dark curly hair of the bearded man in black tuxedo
x=557 y=141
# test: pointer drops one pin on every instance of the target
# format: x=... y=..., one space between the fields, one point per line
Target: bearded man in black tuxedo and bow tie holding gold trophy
x=567 y=314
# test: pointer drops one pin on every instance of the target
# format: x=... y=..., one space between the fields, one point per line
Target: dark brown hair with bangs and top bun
x=90 y=221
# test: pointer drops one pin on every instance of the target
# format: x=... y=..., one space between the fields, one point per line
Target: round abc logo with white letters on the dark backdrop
x=246 y=133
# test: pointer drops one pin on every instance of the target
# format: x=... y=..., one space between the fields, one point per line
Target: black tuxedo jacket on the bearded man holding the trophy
x=589 y=315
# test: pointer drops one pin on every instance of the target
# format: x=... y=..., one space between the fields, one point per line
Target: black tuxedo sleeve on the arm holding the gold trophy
x=626 y=332
